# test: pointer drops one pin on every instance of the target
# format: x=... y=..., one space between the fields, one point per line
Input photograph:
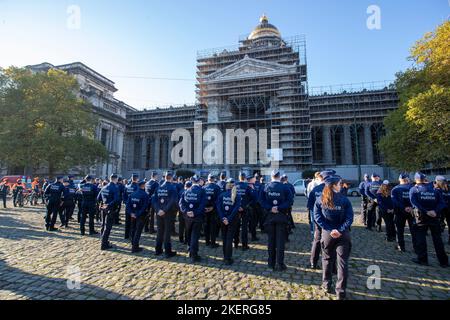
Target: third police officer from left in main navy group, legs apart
x=89 y=192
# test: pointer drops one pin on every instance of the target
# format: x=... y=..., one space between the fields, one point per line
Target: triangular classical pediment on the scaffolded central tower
x=249 y=67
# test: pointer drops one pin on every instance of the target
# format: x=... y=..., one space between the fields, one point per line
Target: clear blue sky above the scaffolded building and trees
x=154 y=38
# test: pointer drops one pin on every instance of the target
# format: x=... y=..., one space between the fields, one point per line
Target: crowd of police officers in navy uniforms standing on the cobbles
x=236 y=209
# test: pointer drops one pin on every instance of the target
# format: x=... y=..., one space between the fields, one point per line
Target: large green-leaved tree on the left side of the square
x=44 y=124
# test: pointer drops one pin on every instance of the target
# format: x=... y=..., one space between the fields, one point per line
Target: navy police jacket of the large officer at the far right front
x=425 y=198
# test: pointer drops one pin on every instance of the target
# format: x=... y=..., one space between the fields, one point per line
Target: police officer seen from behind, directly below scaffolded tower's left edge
x=192 y=205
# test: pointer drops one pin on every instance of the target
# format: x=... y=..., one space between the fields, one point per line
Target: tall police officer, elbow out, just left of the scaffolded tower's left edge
x=164 y=203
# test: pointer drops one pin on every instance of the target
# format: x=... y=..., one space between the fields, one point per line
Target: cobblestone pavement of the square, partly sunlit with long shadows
x=35 y=264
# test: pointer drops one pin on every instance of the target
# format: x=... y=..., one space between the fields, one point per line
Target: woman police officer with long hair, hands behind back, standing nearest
x=333 y=212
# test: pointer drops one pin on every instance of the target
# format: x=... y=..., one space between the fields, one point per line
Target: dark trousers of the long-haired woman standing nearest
x=335 y=251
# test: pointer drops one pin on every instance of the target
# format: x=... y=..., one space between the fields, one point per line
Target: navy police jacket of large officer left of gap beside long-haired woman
x=276 y=194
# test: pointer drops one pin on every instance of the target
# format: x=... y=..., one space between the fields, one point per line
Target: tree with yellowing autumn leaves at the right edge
x=418 y=132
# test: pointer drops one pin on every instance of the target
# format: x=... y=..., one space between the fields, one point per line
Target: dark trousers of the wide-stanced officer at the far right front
x=421 y=242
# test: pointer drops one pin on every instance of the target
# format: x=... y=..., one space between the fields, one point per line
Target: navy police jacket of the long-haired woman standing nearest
x=340 y=218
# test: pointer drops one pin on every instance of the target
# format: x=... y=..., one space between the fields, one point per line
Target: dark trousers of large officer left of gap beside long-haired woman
x=276 y=228
